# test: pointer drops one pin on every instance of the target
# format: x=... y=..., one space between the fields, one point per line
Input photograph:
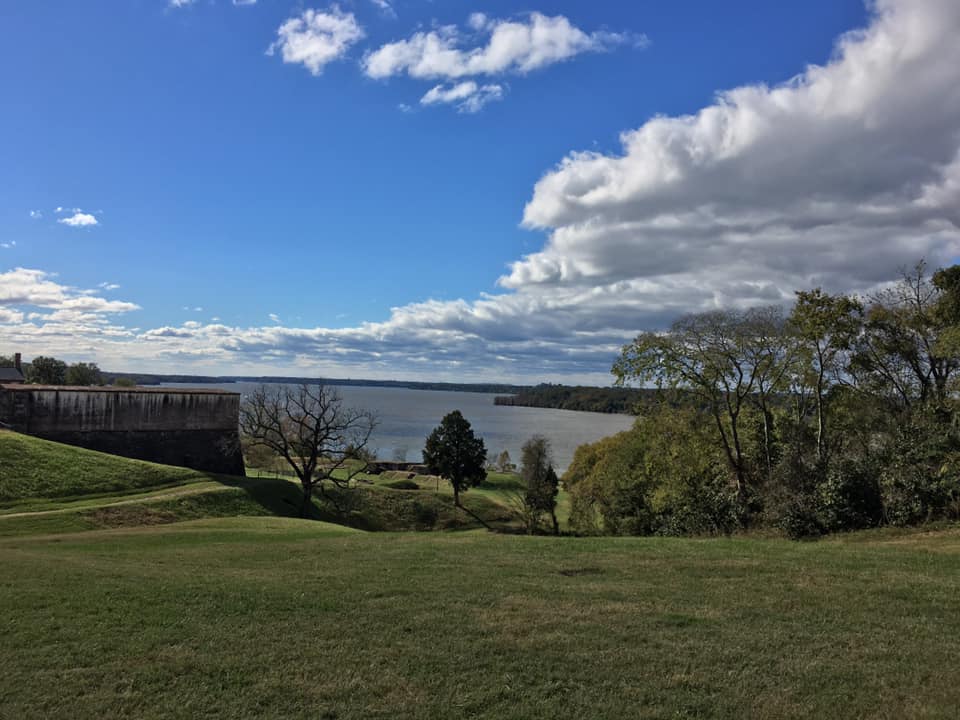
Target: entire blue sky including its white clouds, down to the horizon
x=271 y=189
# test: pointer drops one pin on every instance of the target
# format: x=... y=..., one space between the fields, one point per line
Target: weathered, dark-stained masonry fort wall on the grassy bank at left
x=191 y=428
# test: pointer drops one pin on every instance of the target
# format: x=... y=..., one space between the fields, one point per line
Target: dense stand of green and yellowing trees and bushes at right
x=842 y=416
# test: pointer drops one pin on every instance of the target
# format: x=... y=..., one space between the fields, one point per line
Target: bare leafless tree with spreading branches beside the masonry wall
x=311 y=429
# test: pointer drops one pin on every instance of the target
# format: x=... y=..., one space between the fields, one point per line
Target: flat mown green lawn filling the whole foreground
x=258 y=617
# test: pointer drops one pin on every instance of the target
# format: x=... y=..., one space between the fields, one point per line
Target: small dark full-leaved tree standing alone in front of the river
x=453 y=451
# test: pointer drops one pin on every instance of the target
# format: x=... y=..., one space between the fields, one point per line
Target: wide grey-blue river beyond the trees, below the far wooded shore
x=406 y=417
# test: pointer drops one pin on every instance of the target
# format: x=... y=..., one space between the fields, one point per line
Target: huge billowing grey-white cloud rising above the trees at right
x=836 y=177
